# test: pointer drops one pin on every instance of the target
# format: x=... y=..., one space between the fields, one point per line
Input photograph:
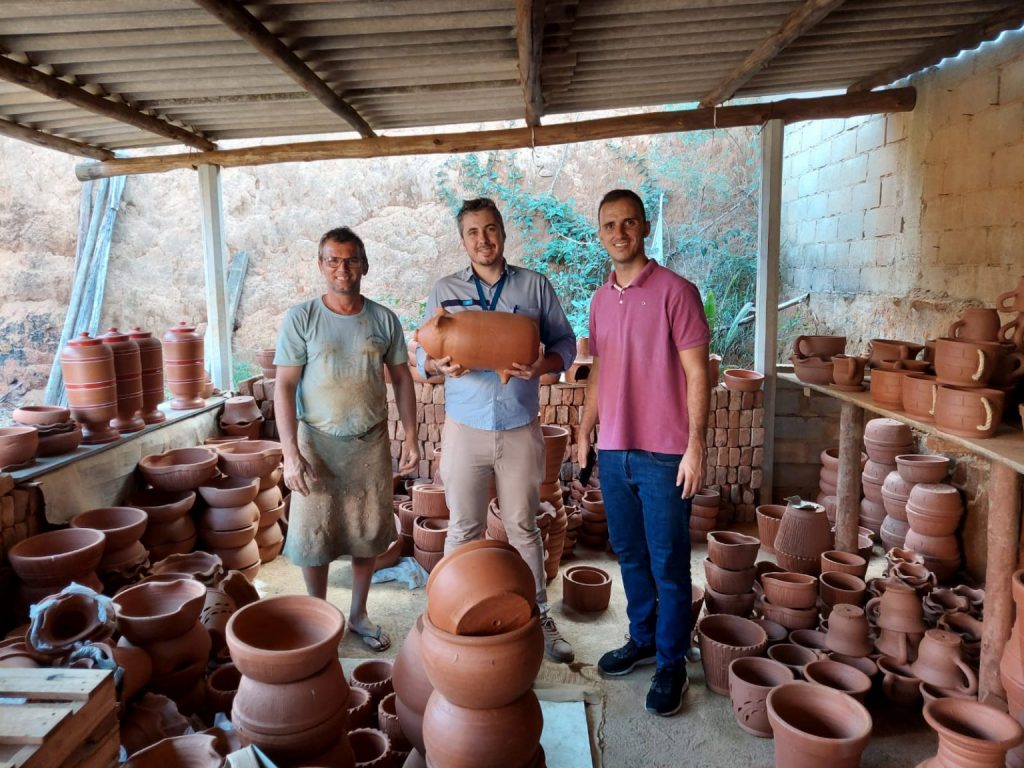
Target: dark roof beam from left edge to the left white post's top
x=49 y=86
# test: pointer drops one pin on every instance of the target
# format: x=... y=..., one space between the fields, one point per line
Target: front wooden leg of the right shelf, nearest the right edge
x=1004 y=533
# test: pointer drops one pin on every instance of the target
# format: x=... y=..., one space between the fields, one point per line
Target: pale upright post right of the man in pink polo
x=766 y=323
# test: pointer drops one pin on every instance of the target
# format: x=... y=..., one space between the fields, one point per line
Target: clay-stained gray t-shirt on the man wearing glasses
x=342 y=392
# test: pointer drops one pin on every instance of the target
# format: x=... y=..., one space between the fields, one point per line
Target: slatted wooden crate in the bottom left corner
x=58 y=718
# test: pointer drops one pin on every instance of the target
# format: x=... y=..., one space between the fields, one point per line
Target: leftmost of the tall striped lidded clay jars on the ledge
x=88 y=367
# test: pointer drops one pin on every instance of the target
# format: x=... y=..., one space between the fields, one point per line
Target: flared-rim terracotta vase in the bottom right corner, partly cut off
x=971 y=735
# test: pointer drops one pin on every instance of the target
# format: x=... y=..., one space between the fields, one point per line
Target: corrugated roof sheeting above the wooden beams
x=408 y=64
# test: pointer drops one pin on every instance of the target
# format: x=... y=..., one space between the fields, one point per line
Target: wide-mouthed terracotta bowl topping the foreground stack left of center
x=284 y=638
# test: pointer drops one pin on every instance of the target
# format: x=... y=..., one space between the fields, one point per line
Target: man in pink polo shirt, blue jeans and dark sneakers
x=649 y=337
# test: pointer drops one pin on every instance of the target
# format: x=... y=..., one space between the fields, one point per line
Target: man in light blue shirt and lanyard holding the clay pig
x=492 y=431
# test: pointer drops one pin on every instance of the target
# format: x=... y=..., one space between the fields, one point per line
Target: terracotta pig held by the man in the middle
x=482 y=342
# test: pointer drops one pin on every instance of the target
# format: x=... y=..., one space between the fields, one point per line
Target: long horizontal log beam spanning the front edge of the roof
x=789 y=111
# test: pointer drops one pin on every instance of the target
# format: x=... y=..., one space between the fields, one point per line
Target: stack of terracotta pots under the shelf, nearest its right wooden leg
x=933 y=513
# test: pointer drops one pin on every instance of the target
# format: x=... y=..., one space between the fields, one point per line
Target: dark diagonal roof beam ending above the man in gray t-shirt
x=245 y=25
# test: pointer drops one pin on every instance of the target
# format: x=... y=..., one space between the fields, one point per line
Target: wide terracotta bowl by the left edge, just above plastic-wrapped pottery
x=58 y=557
